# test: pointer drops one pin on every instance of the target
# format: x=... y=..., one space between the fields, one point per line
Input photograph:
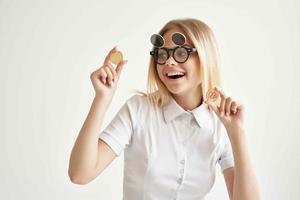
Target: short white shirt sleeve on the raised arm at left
x=118 y=132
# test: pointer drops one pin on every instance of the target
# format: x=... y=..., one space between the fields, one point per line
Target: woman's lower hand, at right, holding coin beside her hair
x=229 y=111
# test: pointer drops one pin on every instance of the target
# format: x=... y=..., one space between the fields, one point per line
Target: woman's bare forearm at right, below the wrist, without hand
x=245 y=186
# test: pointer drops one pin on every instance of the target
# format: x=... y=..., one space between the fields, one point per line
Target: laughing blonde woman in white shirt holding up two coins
x=174 y=135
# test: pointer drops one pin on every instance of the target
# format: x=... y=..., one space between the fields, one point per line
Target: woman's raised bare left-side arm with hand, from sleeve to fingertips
x=90 y=155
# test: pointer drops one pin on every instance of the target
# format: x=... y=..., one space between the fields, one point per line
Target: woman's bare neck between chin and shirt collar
x=189 y=100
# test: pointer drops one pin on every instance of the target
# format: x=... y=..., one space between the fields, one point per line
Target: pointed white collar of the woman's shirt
x=202 y=114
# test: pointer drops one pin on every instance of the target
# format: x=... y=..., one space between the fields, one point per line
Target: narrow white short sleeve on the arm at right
x=226 y=159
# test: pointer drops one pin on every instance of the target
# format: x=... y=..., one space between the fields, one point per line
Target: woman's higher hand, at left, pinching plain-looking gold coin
x=105 y=78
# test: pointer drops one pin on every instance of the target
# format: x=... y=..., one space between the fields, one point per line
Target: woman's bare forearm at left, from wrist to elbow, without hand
x=85 y=151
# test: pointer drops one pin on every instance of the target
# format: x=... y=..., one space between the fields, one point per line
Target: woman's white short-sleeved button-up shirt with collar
x=169 y=153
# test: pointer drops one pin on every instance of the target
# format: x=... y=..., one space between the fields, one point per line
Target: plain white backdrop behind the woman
x=49 y=48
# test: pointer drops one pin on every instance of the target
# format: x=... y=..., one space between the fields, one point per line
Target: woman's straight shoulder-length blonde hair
x=204 y=41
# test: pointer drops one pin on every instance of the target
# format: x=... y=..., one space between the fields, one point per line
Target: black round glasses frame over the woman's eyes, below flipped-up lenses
x=189 y=50
